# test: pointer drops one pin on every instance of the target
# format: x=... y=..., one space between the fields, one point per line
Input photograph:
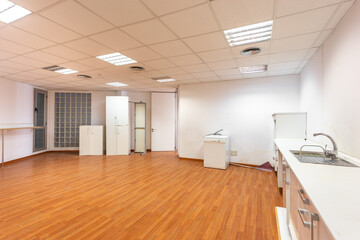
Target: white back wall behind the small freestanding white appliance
x=243 y=108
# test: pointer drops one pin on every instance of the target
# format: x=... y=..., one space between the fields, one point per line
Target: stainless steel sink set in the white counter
x=319 y=158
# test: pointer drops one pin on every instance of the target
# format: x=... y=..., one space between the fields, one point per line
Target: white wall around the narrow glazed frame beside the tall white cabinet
x=137 y=97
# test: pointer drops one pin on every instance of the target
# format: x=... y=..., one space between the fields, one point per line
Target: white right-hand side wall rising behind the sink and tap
x=338 y=84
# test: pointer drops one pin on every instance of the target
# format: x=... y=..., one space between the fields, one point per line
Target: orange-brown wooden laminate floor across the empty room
x=155 y=196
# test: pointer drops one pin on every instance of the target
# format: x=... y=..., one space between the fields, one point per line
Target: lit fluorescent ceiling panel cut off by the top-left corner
x=10 y=12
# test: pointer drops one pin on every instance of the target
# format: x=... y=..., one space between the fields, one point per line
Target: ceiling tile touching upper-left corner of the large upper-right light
x=192 y=21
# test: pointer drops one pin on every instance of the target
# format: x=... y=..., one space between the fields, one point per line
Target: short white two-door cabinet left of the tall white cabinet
x=91 y=140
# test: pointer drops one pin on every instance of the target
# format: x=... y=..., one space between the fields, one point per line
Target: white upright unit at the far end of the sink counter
x=287 y=125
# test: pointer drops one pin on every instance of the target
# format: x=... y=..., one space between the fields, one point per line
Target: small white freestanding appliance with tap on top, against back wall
x=216 y=151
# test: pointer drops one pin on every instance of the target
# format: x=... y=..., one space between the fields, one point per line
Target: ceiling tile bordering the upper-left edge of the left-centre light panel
x=88 y=46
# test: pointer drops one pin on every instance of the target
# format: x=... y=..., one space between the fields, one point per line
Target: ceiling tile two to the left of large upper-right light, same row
x=172 y=48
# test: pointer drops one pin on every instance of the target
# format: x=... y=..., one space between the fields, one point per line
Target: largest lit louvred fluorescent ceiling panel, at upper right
x=258 y=32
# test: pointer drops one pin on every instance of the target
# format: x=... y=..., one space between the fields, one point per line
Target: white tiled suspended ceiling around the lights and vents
x=180 y=39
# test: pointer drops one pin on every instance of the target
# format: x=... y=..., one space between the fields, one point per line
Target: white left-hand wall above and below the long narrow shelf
x=16 y=107
